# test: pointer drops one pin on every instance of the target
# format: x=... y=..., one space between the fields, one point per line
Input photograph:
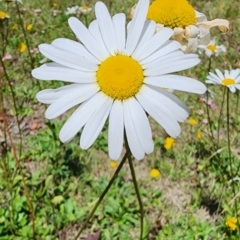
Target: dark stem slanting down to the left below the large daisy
x=127 y=154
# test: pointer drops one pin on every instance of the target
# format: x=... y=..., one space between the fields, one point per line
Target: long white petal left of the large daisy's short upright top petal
x=106 y=27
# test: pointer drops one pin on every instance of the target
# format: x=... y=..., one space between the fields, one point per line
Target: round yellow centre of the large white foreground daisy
x=120 y=77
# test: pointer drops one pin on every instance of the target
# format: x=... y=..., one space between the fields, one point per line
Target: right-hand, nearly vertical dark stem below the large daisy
x=138 y=195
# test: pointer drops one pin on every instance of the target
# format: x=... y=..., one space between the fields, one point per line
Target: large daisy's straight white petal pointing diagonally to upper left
x=86 y=38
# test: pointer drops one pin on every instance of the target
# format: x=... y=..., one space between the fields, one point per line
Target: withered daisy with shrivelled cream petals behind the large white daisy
x=189 y=25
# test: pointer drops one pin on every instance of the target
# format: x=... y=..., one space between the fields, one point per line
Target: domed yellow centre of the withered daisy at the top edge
x=172 y=13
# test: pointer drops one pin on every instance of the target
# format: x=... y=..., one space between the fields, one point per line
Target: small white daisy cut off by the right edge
x=229 y=79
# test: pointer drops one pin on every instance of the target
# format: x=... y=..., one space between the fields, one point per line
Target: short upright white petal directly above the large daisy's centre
x=119 y=21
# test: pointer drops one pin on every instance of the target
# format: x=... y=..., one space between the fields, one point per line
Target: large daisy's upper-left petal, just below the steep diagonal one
x=74 y=47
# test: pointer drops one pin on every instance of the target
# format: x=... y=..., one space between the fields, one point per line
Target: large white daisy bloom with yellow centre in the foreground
x=117 y=75
